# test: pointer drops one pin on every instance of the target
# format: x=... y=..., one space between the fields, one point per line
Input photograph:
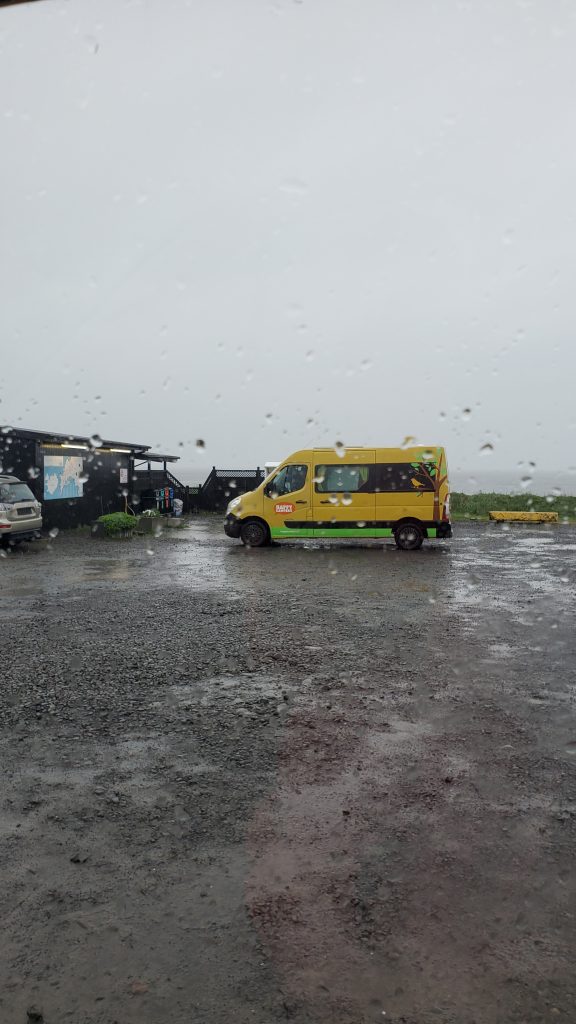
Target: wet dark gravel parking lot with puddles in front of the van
x=306 y=784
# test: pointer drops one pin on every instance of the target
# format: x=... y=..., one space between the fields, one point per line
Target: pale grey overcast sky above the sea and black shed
x=269 y=225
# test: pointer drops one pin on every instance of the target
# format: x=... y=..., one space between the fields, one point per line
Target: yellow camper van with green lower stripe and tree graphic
x=349 y=493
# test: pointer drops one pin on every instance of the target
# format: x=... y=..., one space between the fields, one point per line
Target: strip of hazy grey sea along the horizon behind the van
x=500 y=481
